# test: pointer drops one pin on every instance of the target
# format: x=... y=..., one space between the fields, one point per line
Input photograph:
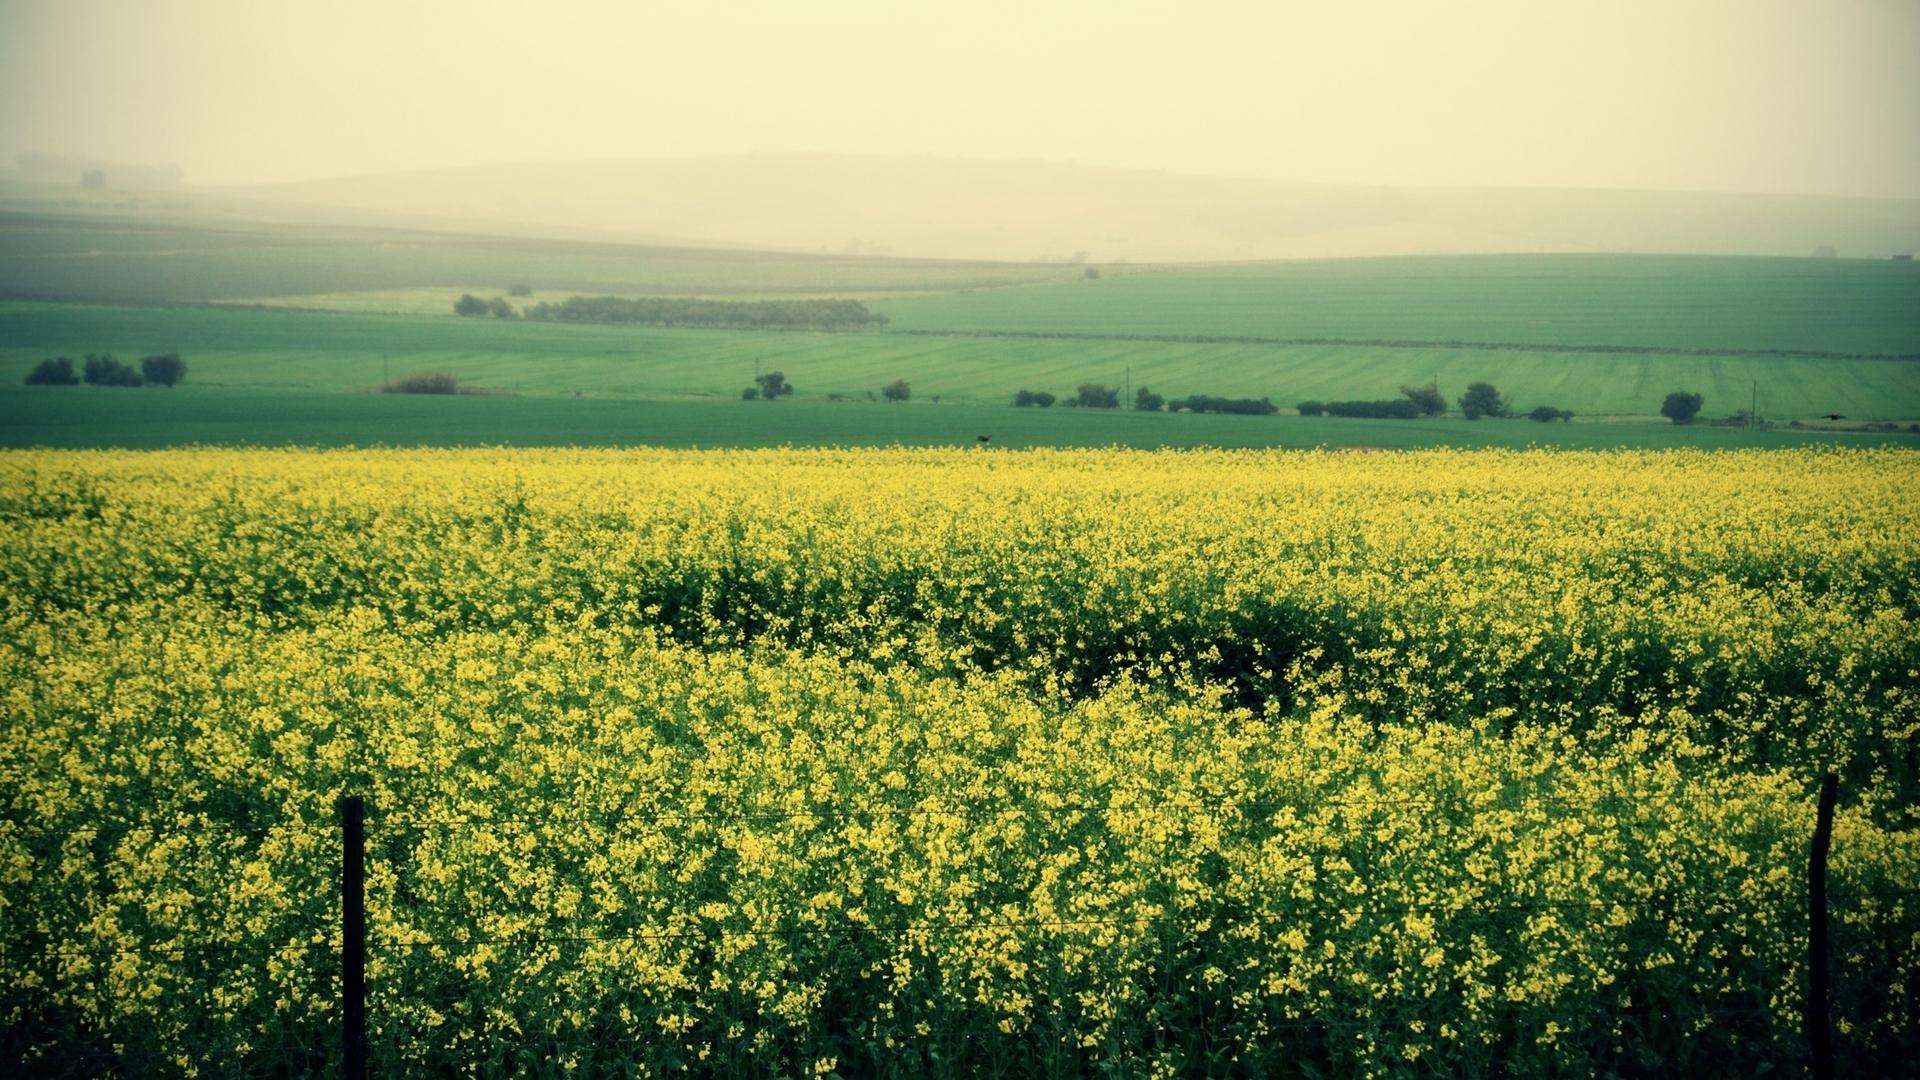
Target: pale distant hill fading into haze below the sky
x=1049 y=210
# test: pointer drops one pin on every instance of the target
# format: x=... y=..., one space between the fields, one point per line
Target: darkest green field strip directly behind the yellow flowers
x=260 y=416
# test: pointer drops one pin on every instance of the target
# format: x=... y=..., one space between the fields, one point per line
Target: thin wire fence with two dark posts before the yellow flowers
x=352 y=943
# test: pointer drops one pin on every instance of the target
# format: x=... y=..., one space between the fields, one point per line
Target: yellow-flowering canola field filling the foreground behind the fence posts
x=955 y=762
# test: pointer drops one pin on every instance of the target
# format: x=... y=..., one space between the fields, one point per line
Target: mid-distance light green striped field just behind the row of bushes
x=358 y=353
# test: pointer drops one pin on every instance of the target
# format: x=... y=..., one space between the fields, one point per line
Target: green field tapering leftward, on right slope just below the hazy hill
x=1675 y=303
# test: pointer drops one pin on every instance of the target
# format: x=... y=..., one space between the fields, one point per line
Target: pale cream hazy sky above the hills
x=1752 y=95
